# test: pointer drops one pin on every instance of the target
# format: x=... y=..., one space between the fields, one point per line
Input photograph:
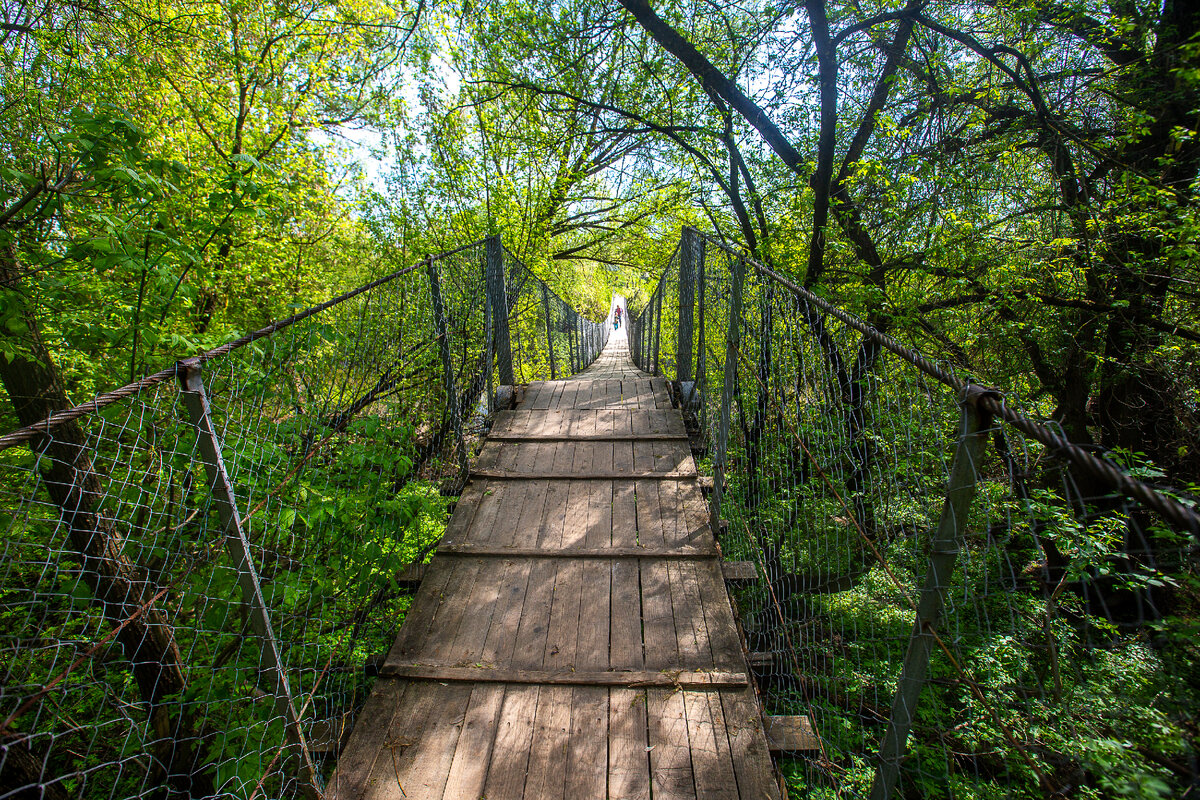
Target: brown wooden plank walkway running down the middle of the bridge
x=573 y=636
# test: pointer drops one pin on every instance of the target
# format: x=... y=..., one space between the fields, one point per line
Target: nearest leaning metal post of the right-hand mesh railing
x=944 y=554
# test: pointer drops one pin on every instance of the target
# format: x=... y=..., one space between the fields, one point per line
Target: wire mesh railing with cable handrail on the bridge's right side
x=959 y=601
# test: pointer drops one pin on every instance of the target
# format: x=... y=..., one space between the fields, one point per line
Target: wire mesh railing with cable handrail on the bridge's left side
x=200 y=572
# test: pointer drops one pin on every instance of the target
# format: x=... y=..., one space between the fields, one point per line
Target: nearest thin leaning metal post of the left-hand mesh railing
x=238 y=546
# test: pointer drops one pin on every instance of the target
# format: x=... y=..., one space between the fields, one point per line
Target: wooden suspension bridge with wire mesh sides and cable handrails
x=741 y=546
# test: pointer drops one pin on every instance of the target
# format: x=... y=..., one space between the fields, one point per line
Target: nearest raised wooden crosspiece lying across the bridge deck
x=485 y=675
